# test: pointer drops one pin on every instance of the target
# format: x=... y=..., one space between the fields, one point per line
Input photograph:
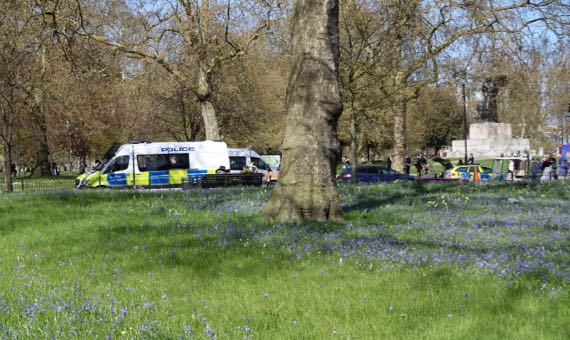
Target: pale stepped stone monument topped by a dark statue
x=488 y=137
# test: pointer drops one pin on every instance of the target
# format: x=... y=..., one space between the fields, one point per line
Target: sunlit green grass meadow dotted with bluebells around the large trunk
x=410 y=261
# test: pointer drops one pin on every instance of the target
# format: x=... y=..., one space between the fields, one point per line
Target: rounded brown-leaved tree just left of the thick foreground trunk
x=250 y=97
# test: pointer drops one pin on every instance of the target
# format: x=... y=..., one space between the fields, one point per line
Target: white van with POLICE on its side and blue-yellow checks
x=161 y=164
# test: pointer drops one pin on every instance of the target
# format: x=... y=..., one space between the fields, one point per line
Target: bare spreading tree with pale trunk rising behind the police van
x=189 y=39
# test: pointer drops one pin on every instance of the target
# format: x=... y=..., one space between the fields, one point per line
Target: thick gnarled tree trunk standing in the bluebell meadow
x=307 y=186
